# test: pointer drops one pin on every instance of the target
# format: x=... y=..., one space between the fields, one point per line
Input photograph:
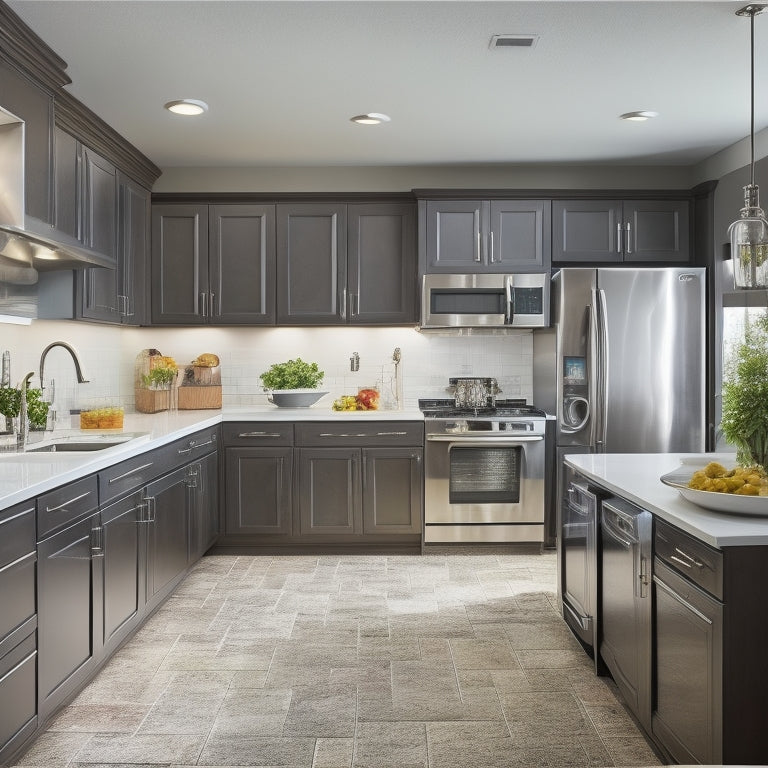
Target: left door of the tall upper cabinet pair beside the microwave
x=312 y=264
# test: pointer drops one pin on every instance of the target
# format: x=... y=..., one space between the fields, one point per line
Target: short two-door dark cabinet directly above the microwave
x=485 y=235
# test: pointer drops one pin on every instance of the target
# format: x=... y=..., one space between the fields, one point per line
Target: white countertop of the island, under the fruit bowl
x=636 y=477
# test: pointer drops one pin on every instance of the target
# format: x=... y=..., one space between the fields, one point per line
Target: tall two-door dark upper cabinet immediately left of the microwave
x=346 y=263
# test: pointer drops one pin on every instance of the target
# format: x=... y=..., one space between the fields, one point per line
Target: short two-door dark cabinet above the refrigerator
x=592 y=231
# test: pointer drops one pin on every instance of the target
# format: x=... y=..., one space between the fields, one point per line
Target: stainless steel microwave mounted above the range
x=485 y=301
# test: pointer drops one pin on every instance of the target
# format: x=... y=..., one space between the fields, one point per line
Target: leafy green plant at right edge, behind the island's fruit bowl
x=745 y=395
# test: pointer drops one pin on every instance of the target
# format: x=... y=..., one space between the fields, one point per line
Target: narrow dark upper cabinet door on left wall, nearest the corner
x=133 y=249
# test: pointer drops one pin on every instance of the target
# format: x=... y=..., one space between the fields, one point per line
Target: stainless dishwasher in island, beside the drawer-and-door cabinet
x=625 y=629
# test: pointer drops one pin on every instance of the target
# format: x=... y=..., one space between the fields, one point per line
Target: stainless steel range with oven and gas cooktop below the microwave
x=484 y=473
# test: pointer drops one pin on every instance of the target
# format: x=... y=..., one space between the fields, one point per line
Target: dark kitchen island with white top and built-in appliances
x=673 y=609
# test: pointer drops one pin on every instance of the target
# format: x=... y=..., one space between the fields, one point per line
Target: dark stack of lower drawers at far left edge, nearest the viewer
x=18 y=621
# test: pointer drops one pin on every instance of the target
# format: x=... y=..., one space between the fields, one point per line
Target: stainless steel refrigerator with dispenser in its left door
x=631 y=358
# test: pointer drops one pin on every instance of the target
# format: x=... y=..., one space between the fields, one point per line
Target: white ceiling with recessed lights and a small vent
x=283 y=78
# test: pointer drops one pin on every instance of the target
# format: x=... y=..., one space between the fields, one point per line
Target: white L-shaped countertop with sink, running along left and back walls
x=23 y=476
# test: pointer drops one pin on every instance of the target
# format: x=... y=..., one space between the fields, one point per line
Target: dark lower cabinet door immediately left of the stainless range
x=392 y=490
